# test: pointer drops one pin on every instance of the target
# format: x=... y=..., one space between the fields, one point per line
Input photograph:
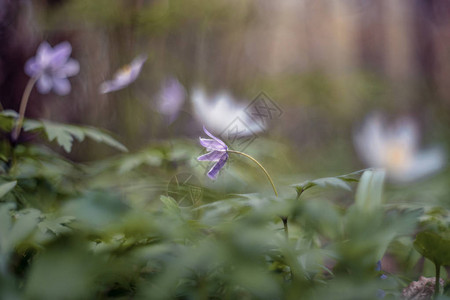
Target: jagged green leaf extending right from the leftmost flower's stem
x=65 y=134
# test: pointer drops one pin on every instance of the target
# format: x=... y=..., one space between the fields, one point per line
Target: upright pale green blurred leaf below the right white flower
x=370 y=190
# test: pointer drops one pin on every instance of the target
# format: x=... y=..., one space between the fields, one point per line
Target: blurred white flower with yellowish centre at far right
x=395 y=148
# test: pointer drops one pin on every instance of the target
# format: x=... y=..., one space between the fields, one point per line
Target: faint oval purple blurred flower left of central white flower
x=171 y=99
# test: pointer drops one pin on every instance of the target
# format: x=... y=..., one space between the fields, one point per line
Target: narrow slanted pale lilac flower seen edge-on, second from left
x=124 y=76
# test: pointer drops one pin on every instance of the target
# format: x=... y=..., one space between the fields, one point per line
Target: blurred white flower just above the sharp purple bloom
x=220 y=111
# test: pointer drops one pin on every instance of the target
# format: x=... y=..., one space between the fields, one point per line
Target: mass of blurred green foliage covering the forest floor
x=149 y=224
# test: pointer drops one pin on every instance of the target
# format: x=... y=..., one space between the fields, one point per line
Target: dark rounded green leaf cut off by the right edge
x=434 y=246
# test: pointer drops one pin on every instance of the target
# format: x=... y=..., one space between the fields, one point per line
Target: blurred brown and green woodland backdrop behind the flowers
x=326 y=63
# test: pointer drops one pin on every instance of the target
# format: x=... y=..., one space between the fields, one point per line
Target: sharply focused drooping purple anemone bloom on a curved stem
x=217 y=153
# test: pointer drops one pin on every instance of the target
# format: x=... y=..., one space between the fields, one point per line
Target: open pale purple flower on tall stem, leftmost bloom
x=51 y=67
